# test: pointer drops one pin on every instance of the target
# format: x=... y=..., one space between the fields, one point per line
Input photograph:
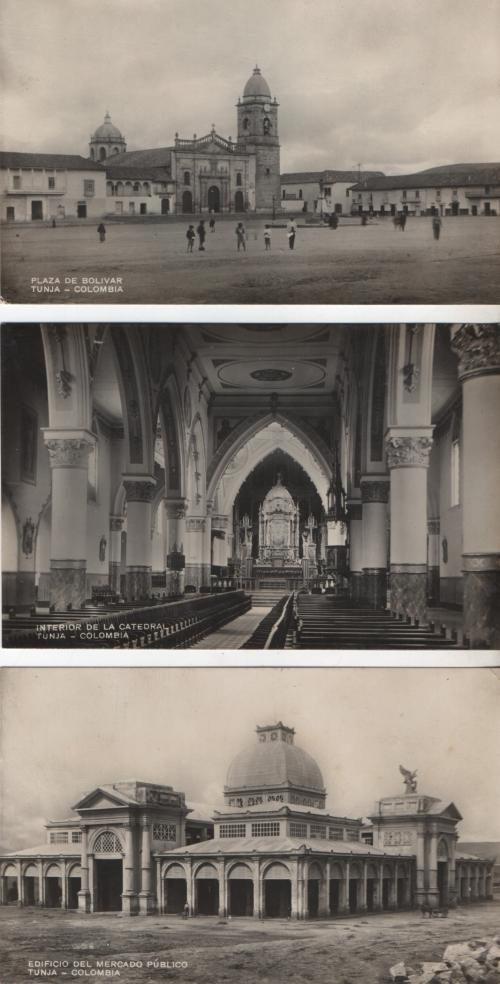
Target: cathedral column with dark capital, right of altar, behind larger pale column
x=375 y=495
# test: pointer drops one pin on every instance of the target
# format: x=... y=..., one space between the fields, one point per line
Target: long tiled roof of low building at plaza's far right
x=445 y=176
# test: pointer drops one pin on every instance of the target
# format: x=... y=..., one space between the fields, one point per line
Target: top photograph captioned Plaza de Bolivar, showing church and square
x=284 y=152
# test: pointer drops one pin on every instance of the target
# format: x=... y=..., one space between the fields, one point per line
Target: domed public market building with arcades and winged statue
x=272 y=850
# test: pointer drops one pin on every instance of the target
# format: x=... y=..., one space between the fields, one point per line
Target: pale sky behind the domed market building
x=65 y=731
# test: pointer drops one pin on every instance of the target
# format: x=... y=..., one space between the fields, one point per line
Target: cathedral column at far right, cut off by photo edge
x=478 y=348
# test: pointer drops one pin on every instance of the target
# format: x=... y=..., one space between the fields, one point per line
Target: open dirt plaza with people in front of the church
x=352 y=265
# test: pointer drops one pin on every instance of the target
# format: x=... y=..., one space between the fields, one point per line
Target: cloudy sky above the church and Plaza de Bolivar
x=396 y=85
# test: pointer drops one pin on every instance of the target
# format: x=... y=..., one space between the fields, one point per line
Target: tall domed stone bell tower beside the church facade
x=258 y=133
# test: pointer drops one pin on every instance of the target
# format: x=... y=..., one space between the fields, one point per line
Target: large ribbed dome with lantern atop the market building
x=274 y=761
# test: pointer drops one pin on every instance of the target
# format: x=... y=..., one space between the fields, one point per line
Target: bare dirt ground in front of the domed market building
x=240 y=951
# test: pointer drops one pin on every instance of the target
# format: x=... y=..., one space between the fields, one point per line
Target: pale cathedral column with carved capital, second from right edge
x=408 y=461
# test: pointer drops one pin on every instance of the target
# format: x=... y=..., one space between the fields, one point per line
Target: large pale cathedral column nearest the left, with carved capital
x=68 y=455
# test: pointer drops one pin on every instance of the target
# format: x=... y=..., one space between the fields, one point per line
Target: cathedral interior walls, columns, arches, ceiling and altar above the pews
x=160 y=459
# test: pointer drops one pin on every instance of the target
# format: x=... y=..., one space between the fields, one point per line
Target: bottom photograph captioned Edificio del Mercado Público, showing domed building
x=258 y=824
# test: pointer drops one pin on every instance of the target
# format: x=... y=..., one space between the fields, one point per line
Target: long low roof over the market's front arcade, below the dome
x=287 y=845
